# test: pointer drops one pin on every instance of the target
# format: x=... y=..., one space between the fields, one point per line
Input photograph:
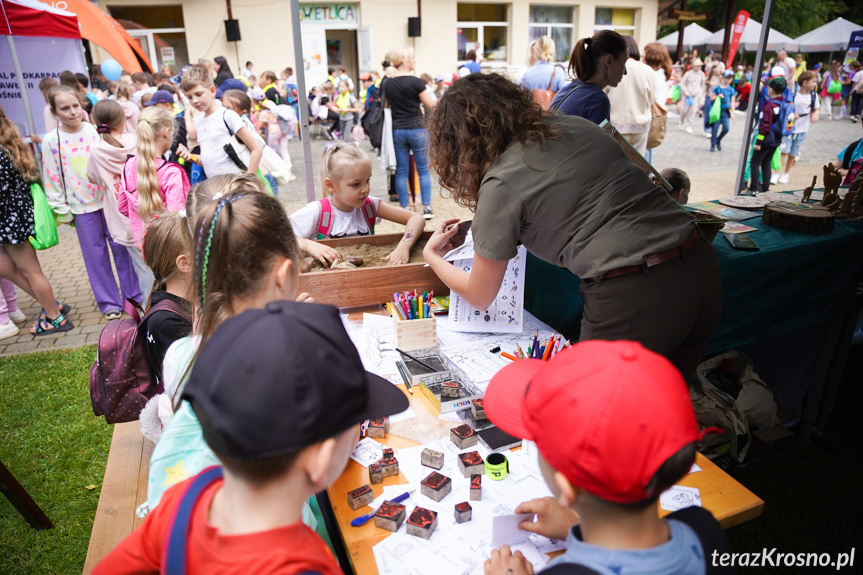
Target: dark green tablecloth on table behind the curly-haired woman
x=794 y=281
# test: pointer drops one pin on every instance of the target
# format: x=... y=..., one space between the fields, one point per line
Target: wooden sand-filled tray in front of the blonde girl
x=369 y=285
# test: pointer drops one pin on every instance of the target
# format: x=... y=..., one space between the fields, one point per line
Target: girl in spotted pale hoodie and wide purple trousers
x=73 y=198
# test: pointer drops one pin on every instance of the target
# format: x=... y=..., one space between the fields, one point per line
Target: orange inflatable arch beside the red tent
x=98 y=27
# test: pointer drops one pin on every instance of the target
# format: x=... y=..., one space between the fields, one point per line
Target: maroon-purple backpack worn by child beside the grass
x=121 y=379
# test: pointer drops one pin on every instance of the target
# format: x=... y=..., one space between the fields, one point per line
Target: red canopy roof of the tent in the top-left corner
x=33 y=18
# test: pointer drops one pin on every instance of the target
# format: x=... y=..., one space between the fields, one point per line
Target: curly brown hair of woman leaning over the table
x=476 y=120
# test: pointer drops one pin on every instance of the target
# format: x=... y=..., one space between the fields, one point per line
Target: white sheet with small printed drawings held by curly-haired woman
x=505 y=314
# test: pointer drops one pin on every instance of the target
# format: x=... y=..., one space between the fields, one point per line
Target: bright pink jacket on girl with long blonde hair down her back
x=173 y=187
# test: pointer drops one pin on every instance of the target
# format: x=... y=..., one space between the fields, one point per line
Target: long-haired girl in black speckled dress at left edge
x=18 y=261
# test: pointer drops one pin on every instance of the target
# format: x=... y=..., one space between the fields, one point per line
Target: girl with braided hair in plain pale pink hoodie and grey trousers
x=104 y=168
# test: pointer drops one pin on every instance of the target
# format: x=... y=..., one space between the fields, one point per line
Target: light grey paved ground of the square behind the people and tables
x=712 y=176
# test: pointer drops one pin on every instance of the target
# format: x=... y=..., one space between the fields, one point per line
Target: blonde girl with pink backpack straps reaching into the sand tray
x=347 y=209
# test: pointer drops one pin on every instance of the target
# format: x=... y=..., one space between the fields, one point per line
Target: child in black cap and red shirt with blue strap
x=284 y=434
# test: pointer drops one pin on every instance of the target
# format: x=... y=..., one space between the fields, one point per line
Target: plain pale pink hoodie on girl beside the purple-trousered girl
x=103 y=168
